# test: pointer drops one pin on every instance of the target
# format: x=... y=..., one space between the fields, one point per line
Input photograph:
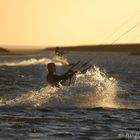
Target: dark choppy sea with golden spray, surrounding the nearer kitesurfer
x=101 y=104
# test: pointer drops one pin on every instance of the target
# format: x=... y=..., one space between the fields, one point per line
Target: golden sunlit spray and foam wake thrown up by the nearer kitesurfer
x=92 y=89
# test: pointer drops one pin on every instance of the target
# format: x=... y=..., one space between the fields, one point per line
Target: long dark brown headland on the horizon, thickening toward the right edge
x=131 y=49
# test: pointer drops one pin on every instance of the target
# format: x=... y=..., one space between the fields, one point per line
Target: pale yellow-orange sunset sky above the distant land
x=39 y=23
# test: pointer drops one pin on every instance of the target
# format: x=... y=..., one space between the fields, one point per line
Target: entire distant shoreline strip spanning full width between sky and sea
x=131 y=49
